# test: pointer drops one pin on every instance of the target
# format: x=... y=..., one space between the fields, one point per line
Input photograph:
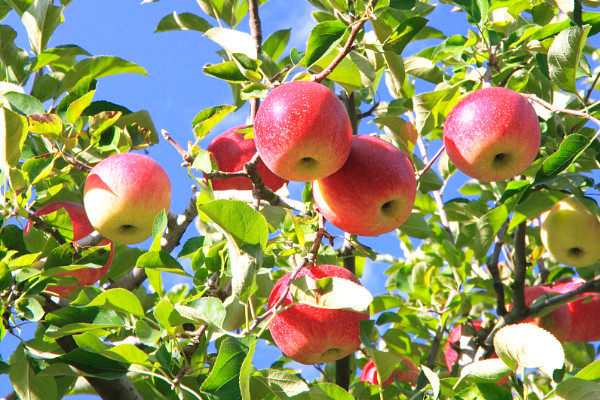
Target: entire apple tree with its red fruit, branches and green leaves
x=493 y=294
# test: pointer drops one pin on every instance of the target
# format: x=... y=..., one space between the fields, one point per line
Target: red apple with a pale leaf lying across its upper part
x=313 y=335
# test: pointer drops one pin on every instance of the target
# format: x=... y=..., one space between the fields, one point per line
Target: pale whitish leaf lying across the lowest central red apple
x=331 y=292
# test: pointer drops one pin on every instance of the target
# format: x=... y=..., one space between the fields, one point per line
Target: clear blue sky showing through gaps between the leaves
x=176 y=90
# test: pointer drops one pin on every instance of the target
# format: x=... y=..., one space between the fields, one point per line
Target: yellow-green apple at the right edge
x=571 y=233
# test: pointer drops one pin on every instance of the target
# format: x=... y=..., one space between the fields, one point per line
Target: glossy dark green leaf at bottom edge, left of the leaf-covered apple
x=224 y=379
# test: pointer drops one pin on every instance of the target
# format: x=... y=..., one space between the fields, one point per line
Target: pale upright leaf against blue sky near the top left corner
x=40 y=20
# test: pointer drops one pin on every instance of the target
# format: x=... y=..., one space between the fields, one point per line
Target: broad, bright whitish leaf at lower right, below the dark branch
x=529 y=346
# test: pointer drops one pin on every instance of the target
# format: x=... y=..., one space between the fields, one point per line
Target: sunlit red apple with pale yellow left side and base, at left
x=123 y=194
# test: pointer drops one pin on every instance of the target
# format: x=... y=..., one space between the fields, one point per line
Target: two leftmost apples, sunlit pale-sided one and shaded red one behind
x=123 y=194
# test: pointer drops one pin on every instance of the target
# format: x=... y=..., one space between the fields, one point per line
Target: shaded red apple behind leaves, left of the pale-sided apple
x=81 y=228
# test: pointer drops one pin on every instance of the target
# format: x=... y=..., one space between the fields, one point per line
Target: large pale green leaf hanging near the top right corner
x=564 y=56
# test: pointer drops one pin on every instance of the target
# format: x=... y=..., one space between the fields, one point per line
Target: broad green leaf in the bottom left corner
x=25 y=382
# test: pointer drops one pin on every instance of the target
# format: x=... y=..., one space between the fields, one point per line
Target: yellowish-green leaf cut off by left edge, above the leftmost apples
x=13 y=132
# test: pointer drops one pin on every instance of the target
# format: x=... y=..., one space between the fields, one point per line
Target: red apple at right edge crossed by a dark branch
x=573 y=321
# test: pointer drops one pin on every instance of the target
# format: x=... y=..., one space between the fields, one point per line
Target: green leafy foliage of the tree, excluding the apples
x=199 y=342
